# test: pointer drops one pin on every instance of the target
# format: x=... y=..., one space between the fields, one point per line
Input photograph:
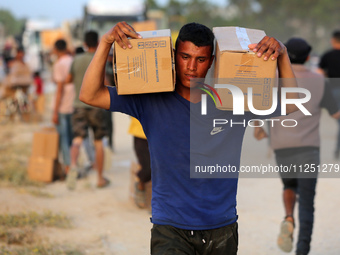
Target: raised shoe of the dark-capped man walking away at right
x=285 y=238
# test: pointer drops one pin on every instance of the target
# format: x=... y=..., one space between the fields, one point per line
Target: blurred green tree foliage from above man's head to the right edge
x=313 y=20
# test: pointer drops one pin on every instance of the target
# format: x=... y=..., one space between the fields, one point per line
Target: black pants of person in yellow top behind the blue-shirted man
x=143 y=156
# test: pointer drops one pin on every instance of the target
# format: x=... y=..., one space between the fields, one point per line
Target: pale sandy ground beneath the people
x=107 y=222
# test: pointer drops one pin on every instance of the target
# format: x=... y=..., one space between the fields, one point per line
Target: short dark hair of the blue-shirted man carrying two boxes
x=198 y=34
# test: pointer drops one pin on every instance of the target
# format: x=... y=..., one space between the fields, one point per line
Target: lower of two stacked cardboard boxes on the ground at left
x=43 y=169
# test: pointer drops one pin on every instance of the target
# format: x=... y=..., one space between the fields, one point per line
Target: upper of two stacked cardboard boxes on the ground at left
x=46 y=143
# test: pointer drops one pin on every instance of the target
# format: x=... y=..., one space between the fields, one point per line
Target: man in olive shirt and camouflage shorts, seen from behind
x=85 y=117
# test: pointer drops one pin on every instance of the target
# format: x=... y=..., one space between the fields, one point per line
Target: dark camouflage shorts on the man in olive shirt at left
x=94 y=118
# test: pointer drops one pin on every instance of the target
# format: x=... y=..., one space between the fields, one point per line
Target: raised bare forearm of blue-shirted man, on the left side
x=93 y=82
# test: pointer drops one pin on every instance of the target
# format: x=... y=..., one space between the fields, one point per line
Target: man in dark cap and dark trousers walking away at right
x=300 y=146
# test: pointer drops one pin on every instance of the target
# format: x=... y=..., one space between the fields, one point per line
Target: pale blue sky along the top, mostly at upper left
x=56 y=10
